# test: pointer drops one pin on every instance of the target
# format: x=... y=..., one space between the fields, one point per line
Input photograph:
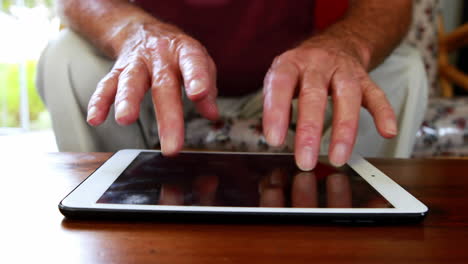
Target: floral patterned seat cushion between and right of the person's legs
x=444 y=132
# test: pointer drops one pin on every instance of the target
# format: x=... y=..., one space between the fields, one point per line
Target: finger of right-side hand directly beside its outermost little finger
x=346 y=96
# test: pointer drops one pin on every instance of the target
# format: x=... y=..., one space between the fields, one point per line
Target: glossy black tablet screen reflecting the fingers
x=247 y=180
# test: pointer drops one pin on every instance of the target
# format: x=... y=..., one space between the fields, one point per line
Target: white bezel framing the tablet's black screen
x=88 y=192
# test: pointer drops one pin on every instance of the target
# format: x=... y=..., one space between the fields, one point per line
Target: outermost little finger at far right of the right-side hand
x=376 y=102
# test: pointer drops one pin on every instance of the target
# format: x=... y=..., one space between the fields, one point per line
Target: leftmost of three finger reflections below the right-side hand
x=271 y=189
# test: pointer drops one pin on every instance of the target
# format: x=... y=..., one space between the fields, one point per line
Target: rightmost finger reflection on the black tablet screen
x=338 y=191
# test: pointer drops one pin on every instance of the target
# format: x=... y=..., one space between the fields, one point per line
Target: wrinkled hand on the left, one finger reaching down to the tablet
x=162 y=58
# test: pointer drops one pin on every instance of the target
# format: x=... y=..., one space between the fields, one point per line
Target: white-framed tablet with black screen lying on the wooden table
x=144 y=184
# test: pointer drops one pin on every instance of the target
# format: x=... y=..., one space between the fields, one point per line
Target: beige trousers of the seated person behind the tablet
x=70 y=68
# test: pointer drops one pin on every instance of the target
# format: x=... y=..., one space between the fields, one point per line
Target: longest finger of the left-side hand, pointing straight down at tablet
x=166 y=94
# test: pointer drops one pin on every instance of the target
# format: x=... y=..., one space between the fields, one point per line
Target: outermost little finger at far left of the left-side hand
x=102 y=98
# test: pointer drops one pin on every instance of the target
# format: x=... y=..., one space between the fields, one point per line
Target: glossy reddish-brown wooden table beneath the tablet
x=34 y=231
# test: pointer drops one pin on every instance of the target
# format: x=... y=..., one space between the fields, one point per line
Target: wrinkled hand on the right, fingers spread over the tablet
x=321 y=66
